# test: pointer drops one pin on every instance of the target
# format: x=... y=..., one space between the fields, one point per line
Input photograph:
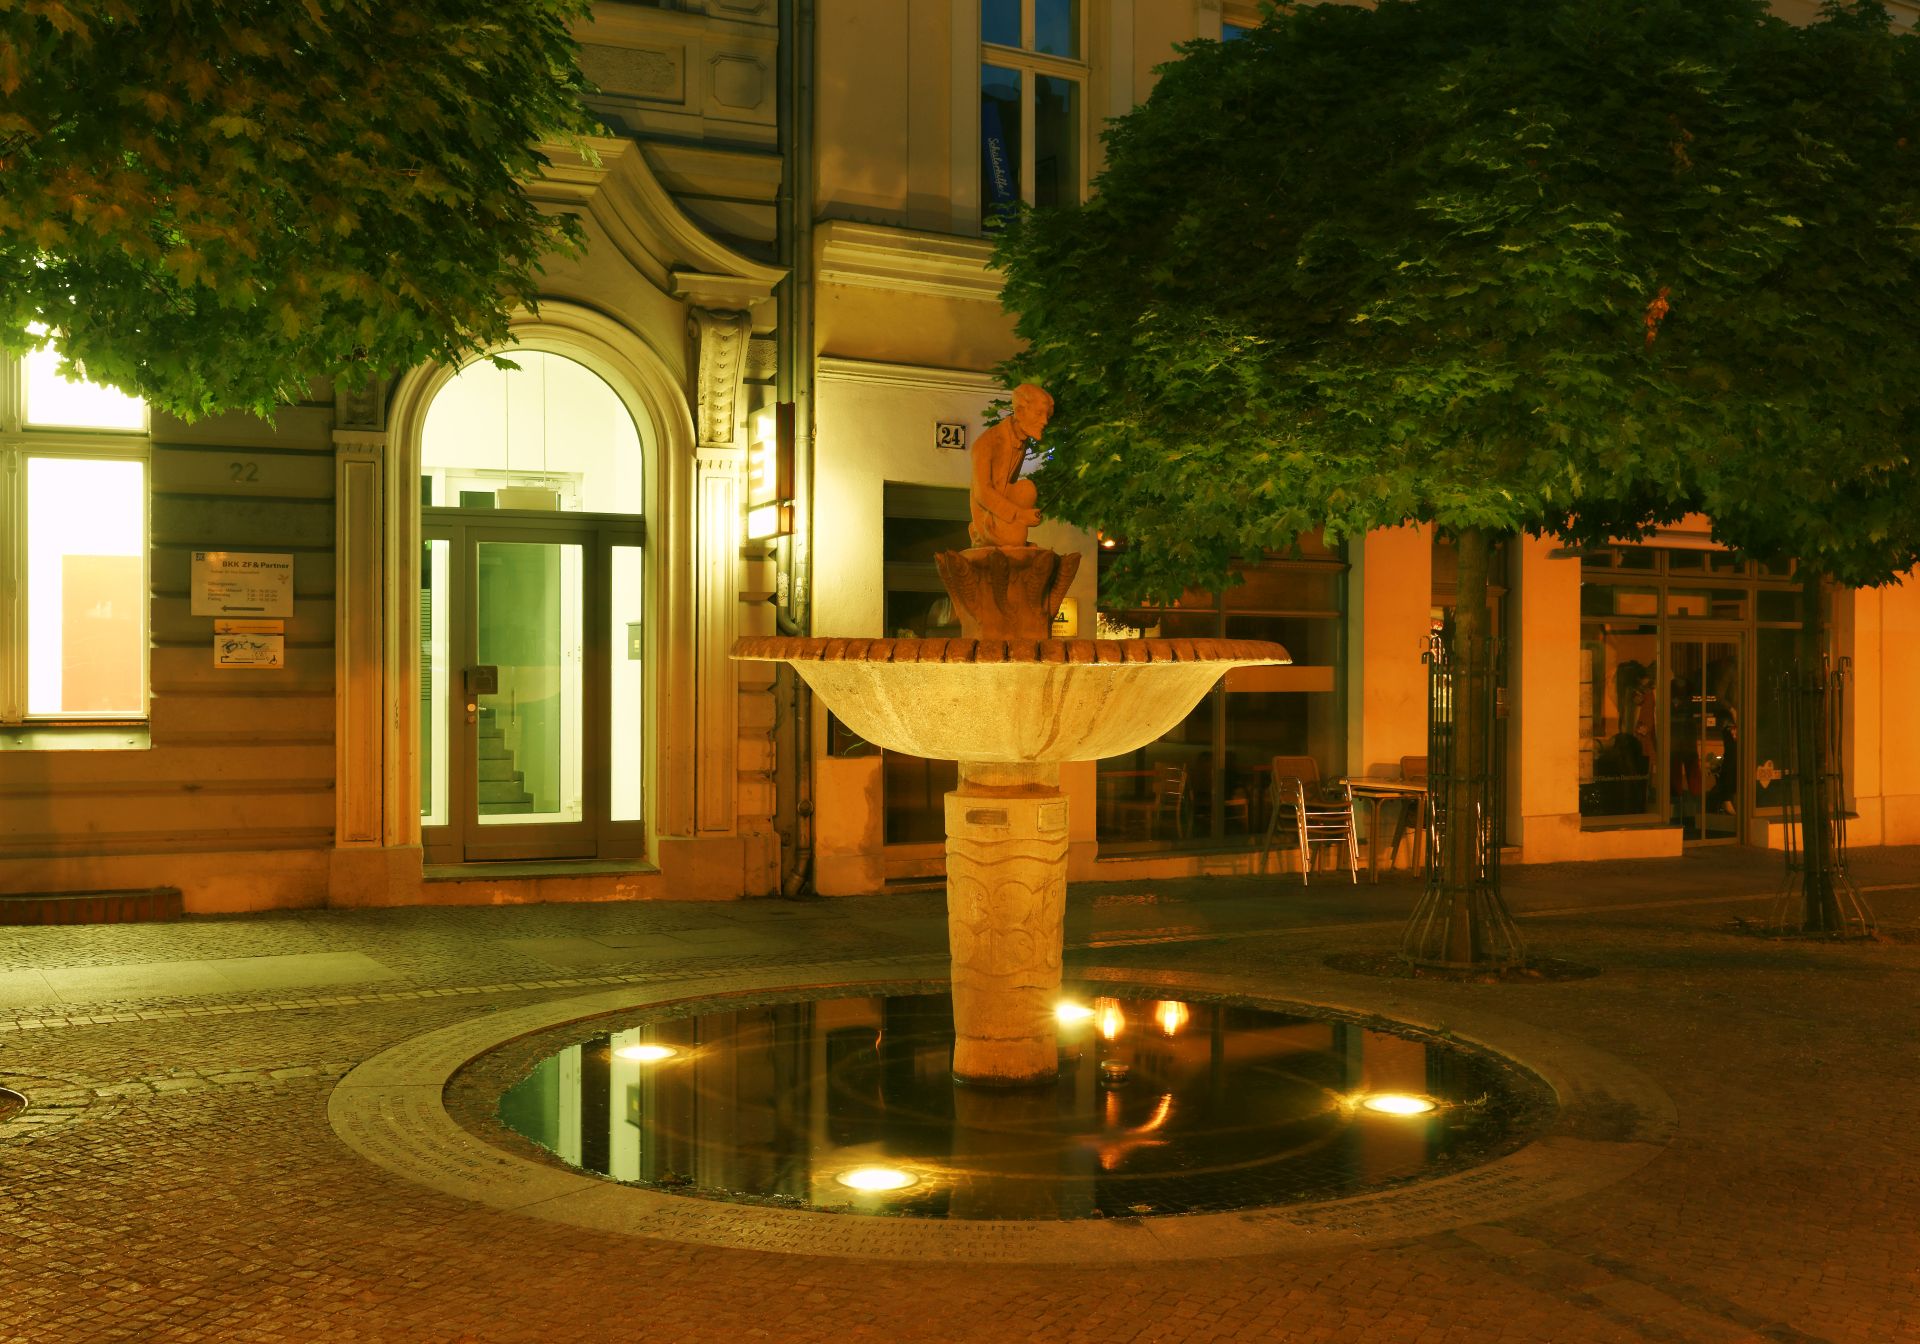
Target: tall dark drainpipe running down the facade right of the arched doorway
x=796 y=383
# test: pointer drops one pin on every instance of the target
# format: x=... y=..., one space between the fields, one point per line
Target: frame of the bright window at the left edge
x=18 y=443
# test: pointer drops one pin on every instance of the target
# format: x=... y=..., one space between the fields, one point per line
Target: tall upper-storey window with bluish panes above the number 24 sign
x=1032 y=76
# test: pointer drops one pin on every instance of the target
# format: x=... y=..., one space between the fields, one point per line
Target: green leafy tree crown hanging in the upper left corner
x=214 y=204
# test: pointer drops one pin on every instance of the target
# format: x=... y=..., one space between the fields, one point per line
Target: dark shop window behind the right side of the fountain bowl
x=1205 y=784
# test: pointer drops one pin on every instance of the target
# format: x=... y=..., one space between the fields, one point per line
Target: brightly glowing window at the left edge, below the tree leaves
x=74 y=610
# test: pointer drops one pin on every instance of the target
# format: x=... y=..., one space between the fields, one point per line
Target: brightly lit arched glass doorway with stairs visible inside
x=531 y=615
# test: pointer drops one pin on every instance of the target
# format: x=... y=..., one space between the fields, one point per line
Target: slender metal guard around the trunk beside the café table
x=1462 y=919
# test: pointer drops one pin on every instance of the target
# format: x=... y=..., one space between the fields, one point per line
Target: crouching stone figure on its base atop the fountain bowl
x=1005 y=587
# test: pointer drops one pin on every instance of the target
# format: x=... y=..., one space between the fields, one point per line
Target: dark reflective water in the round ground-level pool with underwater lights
x=1161 y=1107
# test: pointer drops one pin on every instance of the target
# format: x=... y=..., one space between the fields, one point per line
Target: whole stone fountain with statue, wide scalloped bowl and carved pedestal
x=1011 y=706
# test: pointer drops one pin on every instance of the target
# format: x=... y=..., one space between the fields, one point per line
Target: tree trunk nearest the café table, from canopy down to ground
x=1462 y=919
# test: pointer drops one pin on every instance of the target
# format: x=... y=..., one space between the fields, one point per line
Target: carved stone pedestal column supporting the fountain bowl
x=1007 y=888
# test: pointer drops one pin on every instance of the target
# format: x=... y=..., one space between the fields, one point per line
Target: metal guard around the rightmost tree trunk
x=1819 y=896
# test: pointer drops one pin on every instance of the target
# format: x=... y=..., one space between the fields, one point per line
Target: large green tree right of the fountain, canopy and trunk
x=1504 y=268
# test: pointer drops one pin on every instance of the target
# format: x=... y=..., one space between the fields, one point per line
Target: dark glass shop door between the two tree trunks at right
x=1706 y=713
